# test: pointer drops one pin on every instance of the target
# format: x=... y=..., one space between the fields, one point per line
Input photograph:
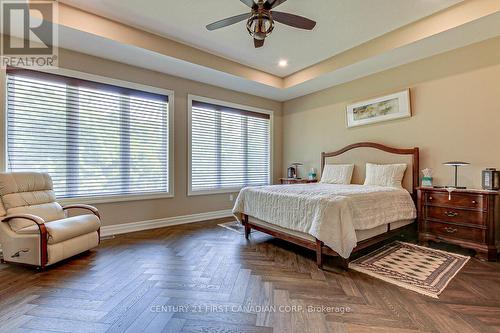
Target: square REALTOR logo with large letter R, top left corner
x=30 y=36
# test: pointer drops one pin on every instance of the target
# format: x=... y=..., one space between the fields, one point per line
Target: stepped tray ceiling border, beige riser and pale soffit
x=133 y=46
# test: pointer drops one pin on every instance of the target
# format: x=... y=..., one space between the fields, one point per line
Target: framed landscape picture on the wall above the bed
x=385 y=108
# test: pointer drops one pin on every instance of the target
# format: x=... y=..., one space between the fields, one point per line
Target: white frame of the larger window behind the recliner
x=109 y=81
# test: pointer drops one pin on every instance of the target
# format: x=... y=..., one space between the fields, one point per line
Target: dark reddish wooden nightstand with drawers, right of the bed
x=469 y=218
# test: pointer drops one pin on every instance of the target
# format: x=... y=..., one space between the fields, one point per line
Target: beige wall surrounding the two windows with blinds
x=181 y=204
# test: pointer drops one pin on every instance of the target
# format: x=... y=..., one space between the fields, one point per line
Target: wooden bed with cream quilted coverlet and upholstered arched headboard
x=336 y=220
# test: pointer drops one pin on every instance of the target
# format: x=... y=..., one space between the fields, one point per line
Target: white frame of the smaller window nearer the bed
x=192 y=98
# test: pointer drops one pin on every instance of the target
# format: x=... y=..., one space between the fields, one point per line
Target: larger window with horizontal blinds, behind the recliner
x=94 y=139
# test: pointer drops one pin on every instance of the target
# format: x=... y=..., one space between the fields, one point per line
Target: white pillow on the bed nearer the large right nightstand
x=385 y=175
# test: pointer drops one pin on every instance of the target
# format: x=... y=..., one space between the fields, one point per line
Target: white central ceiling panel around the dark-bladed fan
x=342 y=24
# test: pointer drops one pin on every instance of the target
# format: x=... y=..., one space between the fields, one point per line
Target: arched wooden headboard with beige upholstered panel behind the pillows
x=411 y=178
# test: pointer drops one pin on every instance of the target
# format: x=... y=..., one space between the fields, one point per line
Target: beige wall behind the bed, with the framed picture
x=456 y=114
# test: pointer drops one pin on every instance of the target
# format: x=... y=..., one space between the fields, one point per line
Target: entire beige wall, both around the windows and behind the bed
x=456 y=116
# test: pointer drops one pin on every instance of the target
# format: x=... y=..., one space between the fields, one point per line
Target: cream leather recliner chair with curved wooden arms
x=35 y=229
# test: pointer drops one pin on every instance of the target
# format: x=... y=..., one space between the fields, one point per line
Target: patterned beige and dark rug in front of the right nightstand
x=421 y=269
